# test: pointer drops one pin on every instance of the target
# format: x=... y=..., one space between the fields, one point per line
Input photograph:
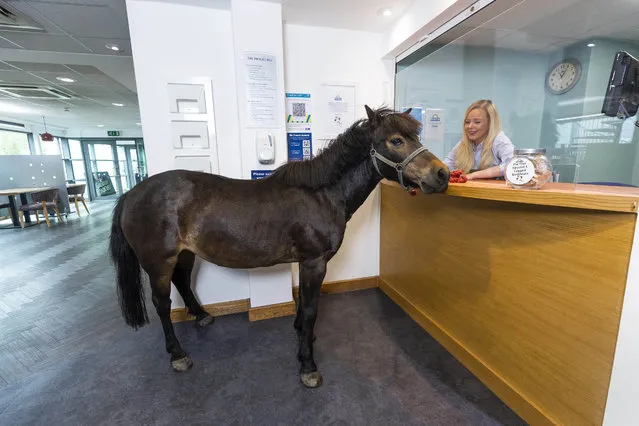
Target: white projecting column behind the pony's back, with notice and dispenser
x=257 y=28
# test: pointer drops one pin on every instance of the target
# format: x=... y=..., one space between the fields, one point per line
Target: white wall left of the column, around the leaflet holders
x=197 y=44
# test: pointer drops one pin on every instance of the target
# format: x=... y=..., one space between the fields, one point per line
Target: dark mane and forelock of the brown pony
x=348 y=149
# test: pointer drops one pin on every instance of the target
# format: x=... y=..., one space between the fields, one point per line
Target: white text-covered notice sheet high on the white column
x=260 y=73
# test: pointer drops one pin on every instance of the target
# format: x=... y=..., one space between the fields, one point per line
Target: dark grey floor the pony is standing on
x=66 y=356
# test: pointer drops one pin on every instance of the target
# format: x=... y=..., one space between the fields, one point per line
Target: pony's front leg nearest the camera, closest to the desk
x=311 y=276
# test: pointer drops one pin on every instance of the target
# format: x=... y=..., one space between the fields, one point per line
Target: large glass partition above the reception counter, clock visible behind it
x=547 y=70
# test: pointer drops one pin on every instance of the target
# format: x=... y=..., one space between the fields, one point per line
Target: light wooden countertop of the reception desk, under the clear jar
x=589 y=197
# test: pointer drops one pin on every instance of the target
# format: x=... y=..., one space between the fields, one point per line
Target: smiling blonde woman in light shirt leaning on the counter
x=484 y=149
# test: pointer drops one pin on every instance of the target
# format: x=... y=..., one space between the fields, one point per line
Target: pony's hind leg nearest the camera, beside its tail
x=160 y=278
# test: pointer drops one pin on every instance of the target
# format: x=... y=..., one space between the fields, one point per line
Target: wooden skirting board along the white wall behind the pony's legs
x=273 y=311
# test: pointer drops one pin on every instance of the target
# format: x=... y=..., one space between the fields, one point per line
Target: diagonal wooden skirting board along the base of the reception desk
x=504 y=390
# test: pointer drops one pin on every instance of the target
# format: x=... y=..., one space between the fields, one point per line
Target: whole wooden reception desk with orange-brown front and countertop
x=525 y=288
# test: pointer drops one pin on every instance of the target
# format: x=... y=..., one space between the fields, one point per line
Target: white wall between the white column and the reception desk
x=316 y=55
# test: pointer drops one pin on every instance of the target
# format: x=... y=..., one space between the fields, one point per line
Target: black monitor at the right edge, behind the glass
x=622 y=94
